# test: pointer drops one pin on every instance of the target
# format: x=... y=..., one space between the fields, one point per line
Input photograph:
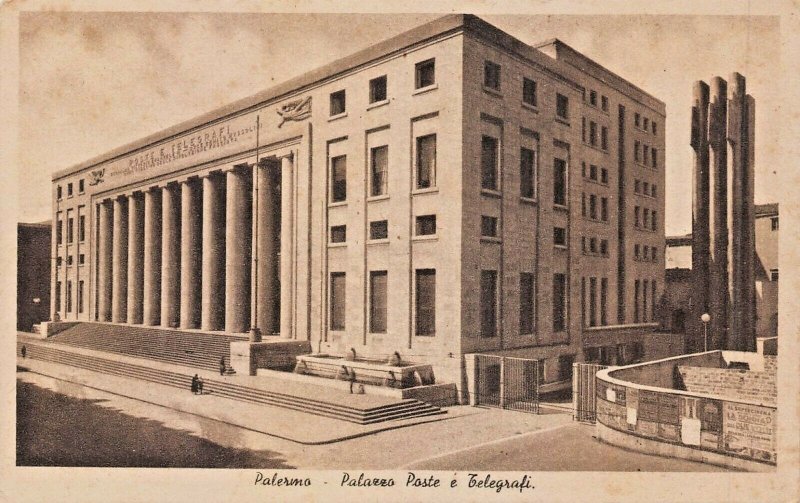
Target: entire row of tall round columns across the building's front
x=183 y=254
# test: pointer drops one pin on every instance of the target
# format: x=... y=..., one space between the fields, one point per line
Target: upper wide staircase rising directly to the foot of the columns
x=191 y=349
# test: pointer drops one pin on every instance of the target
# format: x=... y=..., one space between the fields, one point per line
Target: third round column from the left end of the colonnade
x=135 y=257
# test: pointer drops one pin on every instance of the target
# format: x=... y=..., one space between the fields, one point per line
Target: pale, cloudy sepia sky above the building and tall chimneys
x=91 y=82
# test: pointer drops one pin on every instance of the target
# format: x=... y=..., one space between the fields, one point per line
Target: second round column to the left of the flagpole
x=213 y=280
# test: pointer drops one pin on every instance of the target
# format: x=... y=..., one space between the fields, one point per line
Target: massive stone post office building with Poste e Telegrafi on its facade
x=451 y=190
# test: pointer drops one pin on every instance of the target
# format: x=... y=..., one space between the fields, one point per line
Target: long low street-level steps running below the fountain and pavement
x=320 y=404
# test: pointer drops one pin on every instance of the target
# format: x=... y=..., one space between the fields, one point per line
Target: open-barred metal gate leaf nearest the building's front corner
x=507 y=383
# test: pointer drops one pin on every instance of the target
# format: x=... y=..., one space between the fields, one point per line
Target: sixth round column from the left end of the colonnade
x=191 y=251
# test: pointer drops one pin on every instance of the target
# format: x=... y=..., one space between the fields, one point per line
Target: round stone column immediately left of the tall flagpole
x=238 y=249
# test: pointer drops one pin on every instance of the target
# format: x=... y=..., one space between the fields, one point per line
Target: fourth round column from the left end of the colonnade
x=152 y=257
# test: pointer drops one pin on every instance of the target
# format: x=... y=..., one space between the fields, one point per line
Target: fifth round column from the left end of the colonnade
x=170 y=255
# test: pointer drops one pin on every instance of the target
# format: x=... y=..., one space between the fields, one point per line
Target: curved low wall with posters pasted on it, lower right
x=638 y=408
